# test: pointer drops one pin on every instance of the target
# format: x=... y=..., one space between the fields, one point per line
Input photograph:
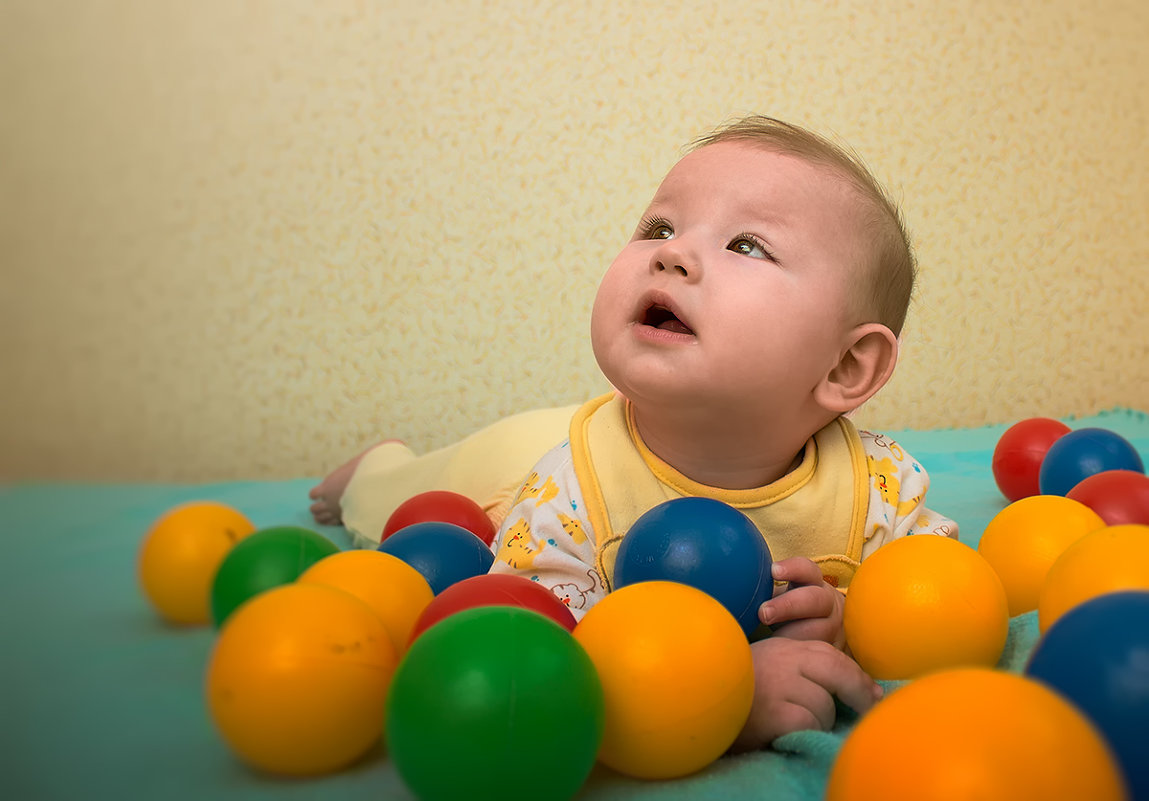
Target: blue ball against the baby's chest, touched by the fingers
x=706 y=544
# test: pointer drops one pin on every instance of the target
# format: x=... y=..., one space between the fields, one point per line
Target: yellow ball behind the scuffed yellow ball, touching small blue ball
x=396 y=591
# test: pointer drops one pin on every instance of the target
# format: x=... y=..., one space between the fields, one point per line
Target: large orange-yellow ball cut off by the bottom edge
x=974 y=734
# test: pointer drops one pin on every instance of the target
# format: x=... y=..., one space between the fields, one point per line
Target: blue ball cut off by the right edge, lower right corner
x=1098 y=657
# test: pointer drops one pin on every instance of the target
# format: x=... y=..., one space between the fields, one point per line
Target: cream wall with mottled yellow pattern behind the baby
x=244 y=240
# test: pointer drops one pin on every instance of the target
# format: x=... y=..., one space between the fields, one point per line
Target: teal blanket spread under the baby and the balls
x=99 y=700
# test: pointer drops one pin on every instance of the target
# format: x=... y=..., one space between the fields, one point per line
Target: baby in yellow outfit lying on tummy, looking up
x=759 y=302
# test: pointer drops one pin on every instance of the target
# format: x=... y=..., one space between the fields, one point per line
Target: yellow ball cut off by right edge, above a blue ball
x=1108 y=560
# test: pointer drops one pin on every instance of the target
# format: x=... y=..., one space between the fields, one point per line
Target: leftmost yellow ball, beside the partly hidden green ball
x=181 y=554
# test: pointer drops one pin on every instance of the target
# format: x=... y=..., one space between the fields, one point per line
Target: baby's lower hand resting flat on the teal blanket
x=795 y=688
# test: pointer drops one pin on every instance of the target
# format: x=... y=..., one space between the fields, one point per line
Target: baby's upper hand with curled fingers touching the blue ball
x=806 y=609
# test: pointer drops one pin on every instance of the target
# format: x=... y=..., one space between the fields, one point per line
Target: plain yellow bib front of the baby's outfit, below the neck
x=818 y=511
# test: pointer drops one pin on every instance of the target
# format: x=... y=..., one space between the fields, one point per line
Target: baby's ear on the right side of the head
x=863 y=369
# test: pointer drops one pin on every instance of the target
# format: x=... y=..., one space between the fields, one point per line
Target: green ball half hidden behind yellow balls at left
x=267 y=559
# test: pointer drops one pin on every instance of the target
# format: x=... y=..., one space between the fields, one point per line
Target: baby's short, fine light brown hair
x=893 y=271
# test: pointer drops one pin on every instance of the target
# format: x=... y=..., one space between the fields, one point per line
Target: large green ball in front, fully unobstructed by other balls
x=495 y=704
